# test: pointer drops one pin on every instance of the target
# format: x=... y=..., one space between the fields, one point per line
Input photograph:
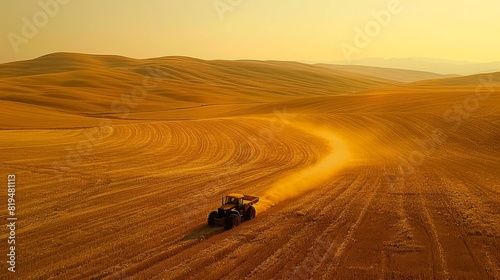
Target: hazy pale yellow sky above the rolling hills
x=304 y=30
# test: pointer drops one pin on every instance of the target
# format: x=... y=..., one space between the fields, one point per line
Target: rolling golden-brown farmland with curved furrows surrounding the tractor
x=362 y=174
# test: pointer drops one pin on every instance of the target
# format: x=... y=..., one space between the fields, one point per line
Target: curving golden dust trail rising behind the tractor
x=309 y=177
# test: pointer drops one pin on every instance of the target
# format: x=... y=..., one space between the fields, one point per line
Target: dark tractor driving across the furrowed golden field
x=235 y=209
